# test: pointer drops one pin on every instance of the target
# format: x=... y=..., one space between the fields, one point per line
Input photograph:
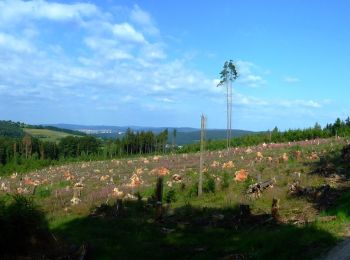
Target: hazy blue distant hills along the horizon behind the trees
x=185 y=135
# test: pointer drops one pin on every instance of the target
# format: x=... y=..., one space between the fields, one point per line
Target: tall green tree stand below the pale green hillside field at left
x=26 y=153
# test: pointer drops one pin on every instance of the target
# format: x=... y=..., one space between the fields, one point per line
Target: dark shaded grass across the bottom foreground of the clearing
x=135 y=235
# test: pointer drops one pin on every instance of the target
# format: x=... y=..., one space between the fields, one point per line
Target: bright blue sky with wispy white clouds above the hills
x=156 y=63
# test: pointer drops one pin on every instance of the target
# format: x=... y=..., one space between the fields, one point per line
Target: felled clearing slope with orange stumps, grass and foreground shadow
x=310 y=220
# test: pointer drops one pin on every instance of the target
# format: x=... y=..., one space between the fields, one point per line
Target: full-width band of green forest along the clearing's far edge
x=21 y=152
